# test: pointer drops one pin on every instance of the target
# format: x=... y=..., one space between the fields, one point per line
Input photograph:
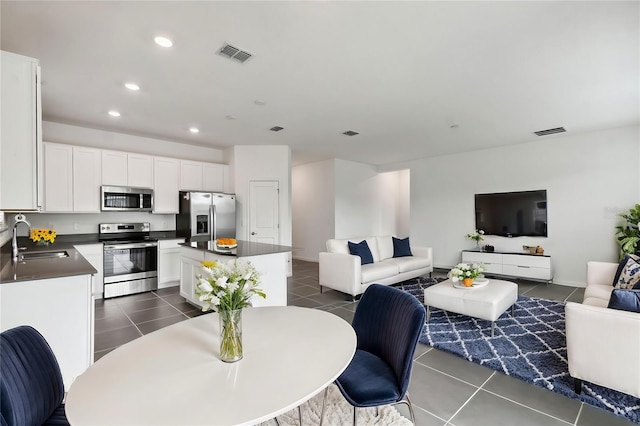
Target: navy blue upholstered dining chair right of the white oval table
x=388 y=323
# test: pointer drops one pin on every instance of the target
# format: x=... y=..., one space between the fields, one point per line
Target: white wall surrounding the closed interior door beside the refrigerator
x=262 y=163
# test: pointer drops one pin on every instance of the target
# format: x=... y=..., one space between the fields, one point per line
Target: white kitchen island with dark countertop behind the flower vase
x=269 y=259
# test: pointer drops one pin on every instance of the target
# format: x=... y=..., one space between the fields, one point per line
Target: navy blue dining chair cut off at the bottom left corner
x=31 y=387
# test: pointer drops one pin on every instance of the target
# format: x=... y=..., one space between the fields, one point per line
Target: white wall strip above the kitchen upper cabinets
x=84 y=136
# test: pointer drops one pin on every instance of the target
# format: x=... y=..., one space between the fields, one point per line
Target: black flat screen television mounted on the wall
x=512 y=214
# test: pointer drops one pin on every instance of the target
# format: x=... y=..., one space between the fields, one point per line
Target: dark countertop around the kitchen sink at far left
x=39 y=269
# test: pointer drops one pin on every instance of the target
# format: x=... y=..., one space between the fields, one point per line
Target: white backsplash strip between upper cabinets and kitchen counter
x=87 y=223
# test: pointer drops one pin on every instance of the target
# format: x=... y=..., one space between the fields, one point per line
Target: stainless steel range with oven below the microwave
x=130 y=258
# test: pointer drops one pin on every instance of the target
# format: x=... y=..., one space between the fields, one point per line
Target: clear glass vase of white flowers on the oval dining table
x=228 y=287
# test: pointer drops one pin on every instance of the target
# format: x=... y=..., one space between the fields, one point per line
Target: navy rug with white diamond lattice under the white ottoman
x=530 y=346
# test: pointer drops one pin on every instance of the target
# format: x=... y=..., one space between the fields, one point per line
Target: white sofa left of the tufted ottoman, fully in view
x=342 y=271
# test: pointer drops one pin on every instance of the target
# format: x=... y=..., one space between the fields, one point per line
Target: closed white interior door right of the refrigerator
x=264 y=221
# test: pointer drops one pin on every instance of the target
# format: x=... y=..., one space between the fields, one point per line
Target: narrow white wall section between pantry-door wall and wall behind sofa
x=313 y=208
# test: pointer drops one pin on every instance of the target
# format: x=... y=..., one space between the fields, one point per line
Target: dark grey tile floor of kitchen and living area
x=445 y=389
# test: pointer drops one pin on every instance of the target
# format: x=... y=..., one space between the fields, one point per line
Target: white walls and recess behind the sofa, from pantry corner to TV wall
x=345 y=199
